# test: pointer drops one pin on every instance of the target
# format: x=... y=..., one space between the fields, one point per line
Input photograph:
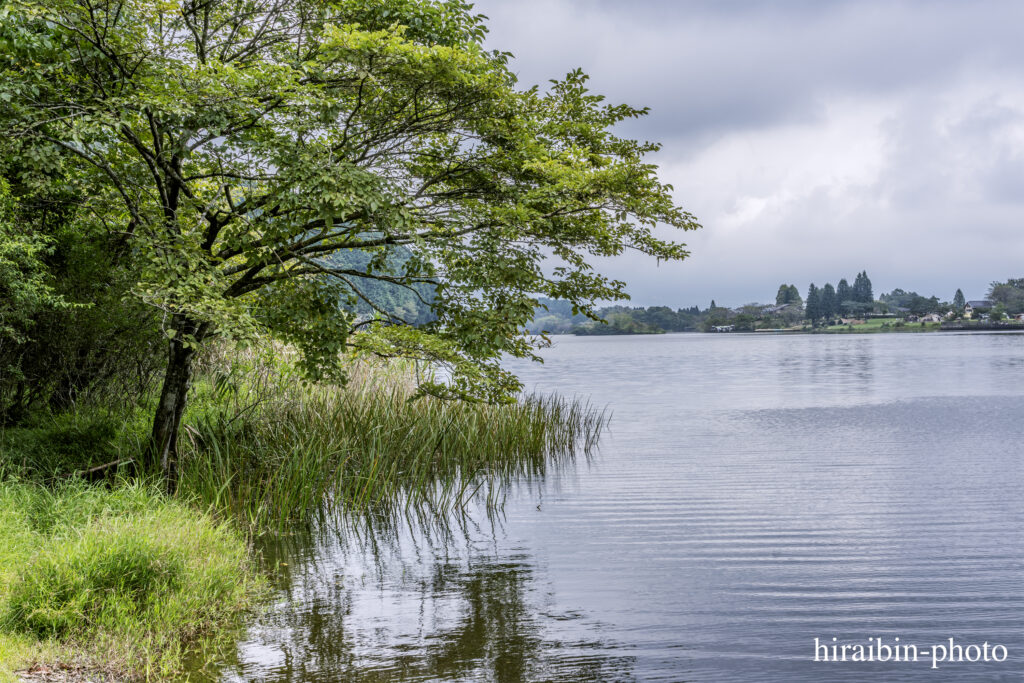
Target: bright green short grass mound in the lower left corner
x=119 y=579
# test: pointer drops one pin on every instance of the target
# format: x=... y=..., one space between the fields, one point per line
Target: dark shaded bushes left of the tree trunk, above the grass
x=87 y=336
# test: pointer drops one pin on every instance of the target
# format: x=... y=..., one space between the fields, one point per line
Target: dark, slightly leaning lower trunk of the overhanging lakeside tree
x=174 y=397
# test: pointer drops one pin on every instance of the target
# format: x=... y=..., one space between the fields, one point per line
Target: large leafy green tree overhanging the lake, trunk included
x=233 y=147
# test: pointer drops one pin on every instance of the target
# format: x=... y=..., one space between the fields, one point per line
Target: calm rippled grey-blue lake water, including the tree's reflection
x=755 y=493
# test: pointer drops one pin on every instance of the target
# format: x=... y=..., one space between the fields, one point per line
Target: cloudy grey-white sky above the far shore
x=813 y=140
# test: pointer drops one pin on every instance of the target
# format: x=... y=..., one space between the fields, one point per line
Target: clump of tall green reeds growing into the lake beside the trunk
x=271 y=450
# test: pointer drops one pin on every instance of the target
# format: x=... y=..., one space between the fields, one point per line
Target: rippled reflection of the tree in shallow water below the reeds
x=406 y=606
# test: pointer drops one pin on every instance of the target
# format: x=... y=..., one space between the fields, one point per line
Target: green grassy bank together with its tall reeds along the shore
x=116 y=576
